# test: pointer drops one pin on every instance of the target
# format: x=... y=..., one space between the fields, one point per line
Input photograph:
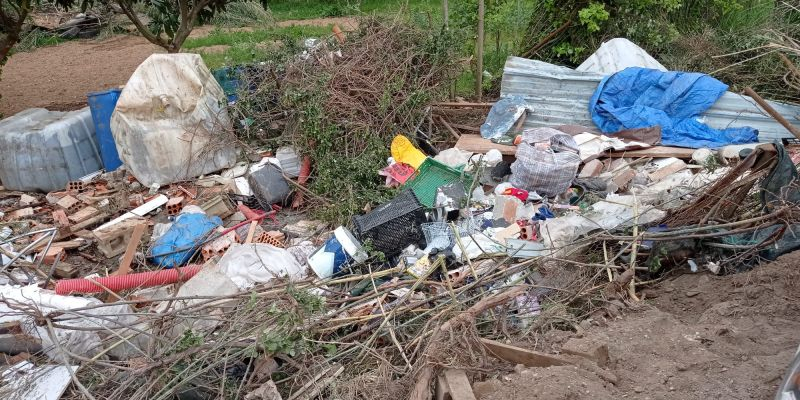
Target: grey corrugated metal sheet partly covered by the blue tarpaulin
x=560 y=96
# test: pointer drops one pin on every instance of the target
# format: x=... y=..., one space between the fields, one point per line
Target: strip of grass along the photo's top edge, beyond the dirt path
x=308 y=9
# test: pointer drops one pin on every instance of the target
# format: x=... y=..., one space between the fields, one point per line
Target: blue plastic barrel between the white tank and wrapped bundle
x=102 y=106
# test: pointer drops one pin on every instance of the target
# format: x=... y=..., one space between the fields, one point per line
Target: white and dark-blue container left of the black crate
x=337 y=252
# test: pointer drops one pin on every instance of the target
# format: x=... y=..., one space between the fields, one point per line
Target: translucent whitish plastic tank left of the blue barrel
x=42 y=150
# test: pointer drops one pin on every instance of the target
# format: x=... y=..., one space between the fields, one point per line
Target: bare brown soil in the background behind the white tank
x=59 y=77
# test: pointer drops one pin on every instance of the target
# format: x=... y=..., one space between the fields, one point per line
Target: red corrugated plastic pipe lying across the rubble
x=131 y=281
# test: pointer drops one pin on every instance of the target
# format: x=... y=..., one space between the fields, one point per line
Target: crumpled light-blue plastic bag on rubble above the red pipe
x=179 y=243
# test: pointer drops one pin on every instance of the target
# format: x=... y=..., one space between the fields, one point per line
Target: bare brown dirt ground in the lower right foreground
x=698 y=336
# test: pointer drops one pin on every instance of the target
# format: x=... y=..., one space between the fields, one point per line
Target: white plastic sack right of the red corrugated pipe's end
x=248 y=264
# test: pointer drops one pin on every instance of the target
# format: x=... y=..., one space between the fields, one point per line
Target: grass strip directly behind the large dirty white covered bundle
x=248 y=47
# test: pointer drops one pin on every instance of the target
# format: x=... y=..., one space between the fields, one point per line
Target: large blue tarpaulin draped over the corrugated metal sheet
x=640 y=98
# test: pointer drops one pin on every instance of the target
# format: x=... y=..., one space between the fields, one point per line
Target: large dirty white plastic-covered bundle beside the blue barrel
x=168 y=121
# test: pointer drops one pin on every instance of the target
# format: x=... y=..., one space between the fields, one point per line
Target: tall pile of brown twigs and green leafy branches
x=342 y=101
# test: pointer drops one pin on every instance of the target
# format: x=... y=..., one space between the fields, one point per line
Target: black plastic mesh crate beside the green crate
x=393 y=225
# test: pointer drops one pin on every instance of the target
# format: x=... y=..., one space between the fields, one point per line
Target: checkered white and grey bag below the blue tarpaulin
x=548 y=168
